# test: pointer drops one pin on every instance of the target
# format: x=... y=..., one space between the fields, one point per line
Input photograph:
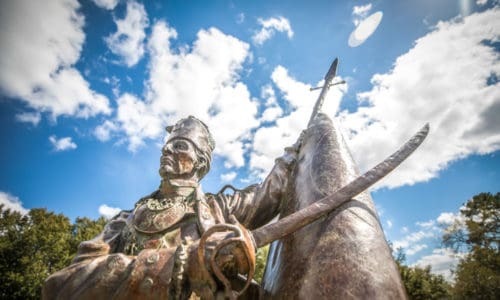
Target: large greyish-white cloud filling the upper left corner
x=39 y=44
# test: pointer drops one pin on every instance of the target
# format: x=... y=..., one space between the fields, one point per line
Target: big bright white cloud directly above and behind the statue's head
x=219 y=99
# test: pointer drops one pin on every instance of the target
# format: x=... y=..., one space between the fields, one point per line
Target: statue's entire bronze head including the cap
x=188 y=150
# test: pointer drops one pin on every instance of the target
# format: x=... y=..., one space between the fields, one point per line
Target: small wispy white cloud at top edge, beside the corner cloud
x=128 y=41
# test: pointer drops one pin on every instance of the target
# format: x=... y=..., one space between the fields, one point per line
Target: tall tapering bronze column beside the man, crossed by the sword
x=344 y=255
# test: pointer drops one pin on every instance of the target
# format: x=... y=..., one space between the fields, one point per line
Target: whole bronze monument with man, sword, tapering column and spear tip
x=180 y=243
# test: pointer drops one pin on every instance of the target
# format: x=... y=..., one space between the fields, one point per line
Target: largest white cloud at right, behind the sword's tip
x=428 y=84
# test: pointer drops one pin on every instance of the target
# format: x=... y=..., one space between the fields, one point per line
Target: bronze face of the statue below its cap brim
x=178 y=158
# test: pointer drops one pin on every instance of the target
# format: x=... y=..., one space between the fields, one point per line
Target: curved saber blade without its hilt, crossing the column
x=291 y=223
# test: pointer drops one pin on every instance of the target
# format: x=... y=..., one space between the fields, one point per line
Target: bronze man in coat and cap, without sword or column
x=151 y=251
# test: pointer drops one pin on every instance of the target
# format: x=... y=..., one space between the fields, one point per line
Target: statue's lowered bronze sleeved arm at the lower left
x=98 y=273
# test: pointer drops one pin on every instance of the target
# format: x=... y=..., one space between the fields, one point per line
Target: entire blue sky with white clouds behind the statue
x=86 y=89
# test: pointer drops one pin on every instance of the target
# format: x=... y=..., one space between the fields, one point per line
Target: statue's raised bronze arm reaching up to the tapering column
x=258 y=204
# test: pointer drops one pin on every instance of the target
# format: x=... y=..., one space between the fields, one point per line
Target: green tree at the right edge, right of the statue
x=478 y=274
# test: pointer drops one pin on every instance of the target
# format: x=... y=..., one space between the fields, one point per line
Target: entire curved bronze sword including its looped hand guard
x=249 y=241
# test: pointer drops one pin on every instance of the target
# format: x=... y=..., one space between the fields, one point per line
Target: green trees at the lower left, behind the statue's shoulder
x=35 y=245
